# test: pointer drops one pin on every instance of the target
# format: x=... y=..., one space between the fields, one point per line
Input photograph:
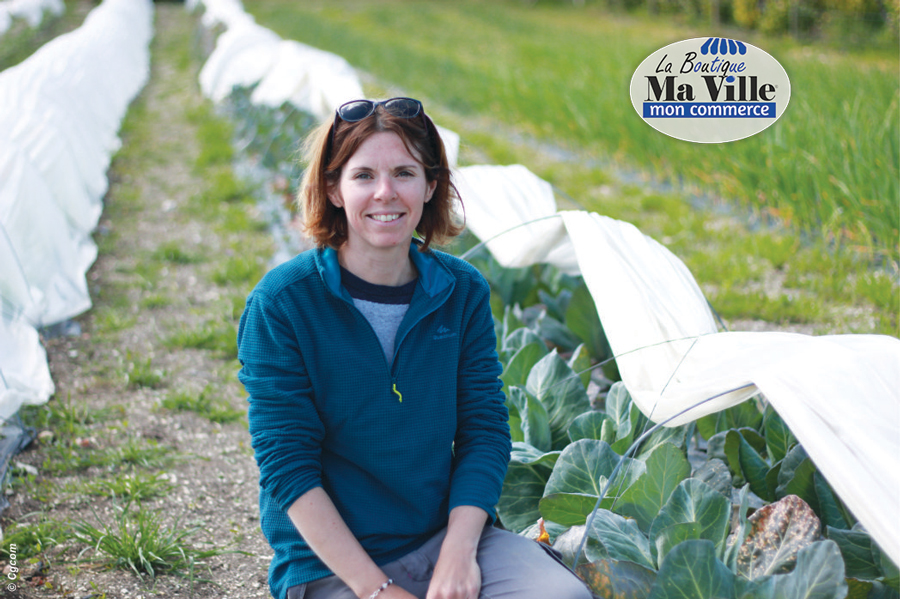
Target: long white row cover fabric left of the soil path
x=60 y=112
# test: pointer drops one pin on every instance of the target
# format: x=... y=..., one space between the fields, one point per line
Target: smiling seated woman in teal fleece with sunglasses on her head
x=376 y=410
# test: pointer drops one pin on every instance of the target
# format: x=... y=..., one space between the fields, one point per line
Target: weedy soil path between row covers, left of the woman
x=114 y=377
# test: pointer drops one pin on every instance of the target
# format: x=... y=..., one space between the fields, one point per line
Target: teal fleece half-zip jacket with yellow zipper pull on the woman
x=396 y=448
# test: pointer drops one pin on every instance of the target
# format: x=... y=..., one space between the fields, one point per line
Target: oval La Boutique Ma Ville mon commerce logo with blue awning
x=710 y=90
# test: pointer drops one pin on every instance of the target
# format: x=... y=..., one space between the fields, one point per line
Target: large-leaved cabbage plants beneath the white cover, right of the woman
x=727 y=506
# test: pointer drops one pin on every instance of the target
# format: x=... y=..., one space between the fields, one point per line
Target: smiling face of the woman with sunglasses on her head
x=382 y=190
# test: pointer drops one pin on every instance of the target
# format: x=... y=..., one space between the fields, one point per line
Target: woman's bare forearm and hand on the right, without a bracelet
x=457 y=575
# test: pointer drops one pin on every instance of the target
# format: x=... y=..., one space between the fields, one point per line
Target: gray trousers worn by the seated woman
x=511 y=567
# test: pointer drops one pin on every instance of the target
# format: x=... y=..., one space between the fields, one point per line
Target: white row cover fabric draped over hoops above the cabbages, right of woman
x=840 y=394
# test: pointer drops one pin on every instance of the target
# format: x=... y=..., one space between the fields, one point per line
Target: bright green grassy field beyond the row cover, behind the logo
x=825 y=175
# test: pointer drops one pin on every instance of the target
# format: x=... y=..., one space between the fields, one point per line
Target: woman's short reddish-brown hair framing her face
x=327 y=224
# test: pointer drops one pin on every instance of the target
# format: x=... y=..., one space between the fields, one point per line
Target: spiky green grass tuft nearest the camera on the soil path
x=140 y=542
